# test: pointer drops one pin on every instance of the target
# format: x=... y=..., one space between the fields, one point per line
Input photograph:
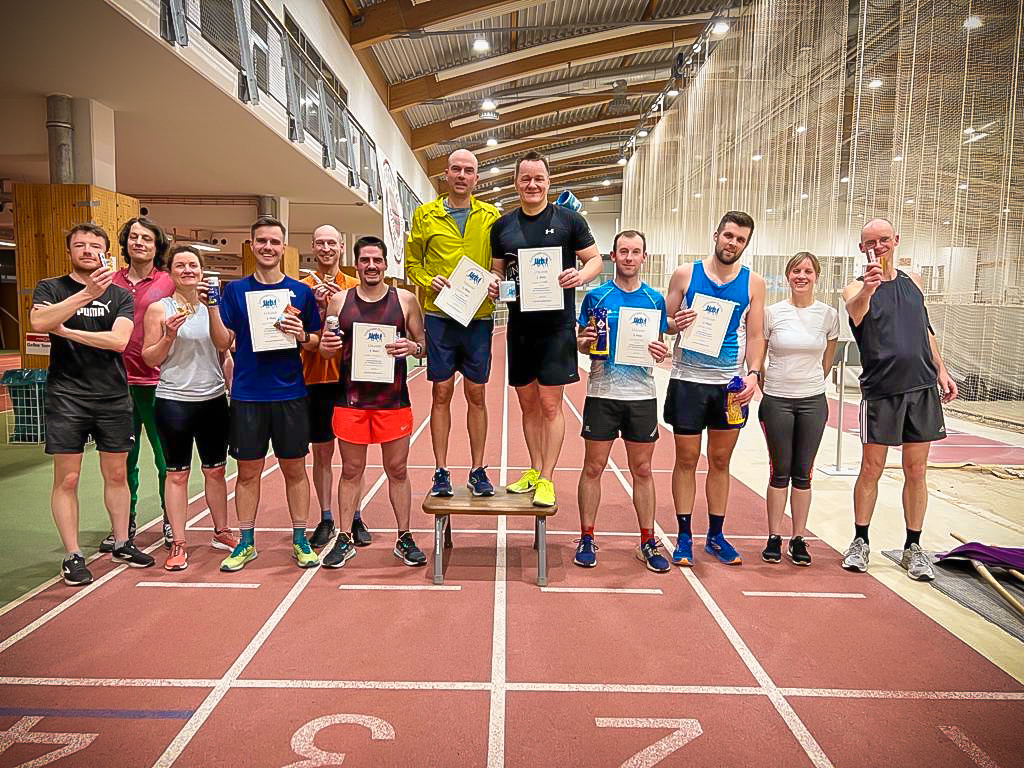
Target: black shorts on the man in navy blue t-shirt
x=257 y=425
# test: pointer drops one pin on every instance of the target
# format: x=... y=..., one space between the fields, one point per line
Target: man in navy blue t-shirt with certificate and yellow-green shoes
x=268 y=317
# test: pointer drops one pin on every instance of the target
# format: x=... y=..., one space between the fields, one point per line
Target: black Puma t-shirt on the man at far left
x=80 y=370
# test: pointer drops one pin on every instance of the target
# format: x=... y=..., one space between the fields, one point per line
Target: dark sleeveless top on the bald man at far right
x=894 y=344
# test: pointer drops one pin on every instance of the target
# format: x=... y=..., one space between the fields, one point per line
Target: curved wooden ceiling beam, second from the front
x=418 y=91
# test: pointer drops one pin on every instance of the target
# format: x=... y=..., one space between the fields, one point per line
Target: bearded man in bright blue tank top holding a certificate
x=718 y=287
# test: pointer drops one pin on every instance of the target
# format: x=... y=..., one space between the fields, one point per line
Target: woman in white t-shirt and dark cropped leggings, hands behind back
x=800 y=335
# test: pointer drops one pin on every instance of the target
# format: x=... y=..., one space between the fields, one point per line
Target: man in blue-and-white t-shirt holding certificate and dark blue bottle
x=621 y=327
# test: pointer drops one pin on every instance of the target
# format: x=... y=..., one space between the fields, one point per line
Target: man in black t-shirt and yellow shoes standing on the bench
x=537 y=247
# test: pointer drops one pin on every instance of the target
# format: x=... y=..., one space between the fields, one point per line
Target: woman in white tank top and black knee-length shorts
x=191 y=401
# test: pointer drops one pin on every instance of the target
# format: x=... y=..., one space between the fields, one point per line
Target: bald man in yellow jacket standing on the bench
x=444 y=231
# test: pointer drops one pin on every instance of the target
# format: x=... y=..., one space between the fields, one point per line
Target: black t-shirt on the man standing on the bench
x=554 y=227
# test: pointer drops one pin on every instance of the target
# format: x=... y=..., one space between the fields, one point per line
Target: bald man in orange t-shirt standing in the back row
x=321 y=376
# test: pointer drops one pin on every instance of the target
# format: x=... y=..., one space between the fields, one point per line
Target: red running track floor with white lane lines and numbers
x=298 y=672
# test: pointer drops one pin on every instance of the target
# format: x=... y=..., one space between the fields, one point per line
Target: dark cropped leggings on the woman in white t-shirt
x=793 y=429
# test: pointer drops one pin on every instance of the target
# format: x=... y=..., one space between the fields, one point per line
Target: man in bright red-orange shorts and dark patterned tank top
x=378 y=326
